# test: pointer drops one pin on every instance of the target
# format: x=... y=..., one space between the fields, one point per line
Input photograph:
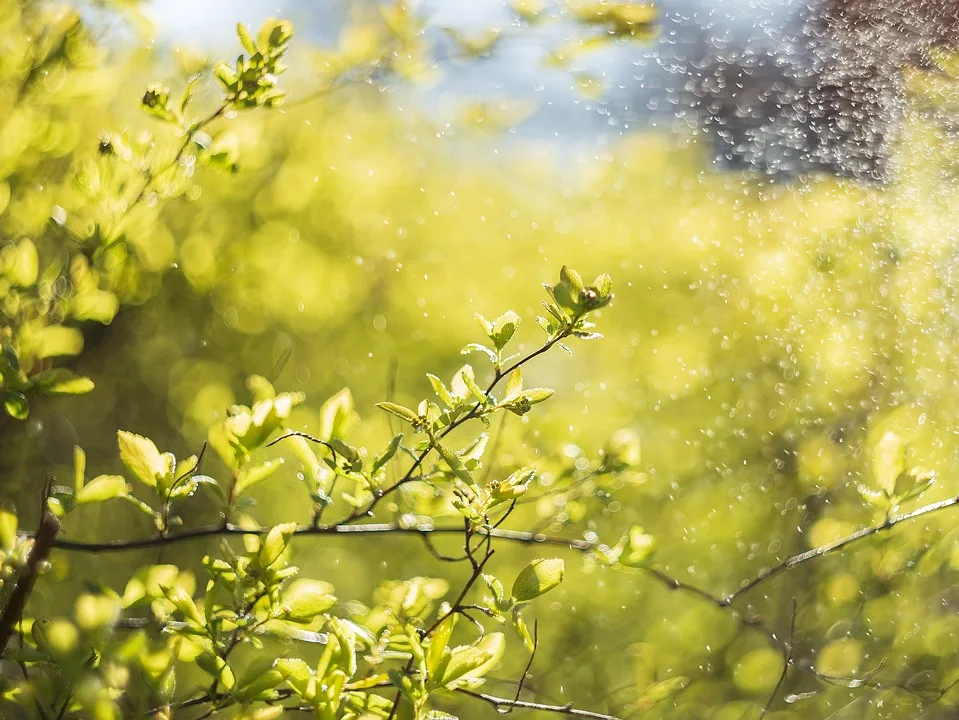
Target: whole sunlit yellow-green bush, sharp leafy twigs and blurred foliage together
x=783 y=358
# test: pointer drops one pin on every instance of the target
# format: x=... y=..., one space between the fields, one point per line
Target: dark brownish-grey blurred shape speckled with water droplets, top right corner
x=827 y=96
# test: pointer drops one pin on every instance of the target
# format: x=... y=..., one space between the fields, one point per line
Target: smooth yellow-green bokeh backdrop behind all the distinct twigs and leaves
x=763 y=338
